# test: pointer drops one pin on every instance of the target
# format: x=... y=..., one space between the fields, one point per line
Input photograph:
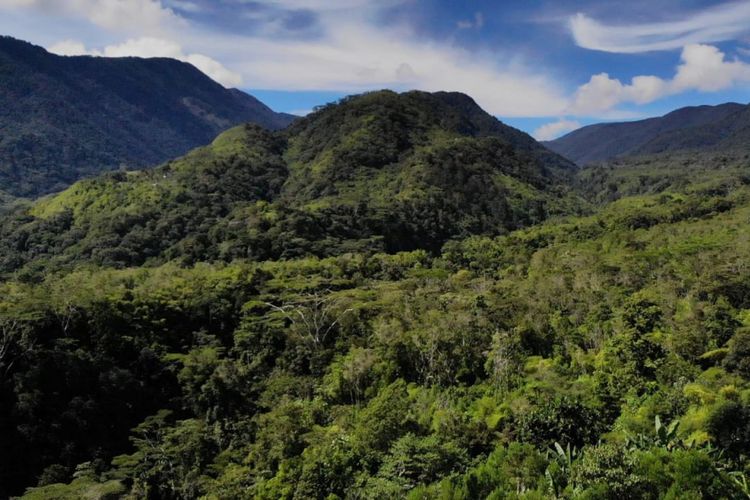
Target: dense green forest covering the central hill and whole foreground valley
x=543 y=332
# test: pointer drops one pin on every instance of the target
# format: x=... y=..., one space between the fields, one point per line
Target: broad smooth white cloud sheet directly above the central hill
x=360 y=57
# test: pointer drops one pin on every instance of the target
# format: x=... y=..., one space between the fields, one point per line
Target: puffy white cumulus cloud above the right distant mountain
x=703 y=68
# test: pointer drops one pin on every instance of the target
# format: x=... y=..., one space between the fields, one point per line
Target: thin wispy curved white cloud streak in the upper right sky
x=719 y=23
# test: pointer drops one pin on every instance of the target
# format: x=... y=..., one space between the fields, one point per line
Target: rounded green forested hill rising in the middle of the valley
x=376 y=172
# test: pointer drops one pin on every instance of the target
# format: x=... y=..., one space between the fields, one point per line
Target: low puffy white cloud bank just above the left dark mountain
x=153 y=47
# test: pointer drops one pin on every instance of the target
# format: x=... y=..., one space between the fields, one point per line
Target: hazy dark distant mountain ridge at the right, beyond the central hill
x=723 y=127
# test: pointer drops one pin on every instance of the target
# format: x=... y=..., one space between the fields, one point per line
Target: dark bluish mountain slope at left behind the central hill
x=64 y=118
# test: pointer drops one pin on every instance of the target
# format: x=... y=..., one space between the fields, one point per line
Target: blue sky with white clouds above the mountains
x=544 y=66
